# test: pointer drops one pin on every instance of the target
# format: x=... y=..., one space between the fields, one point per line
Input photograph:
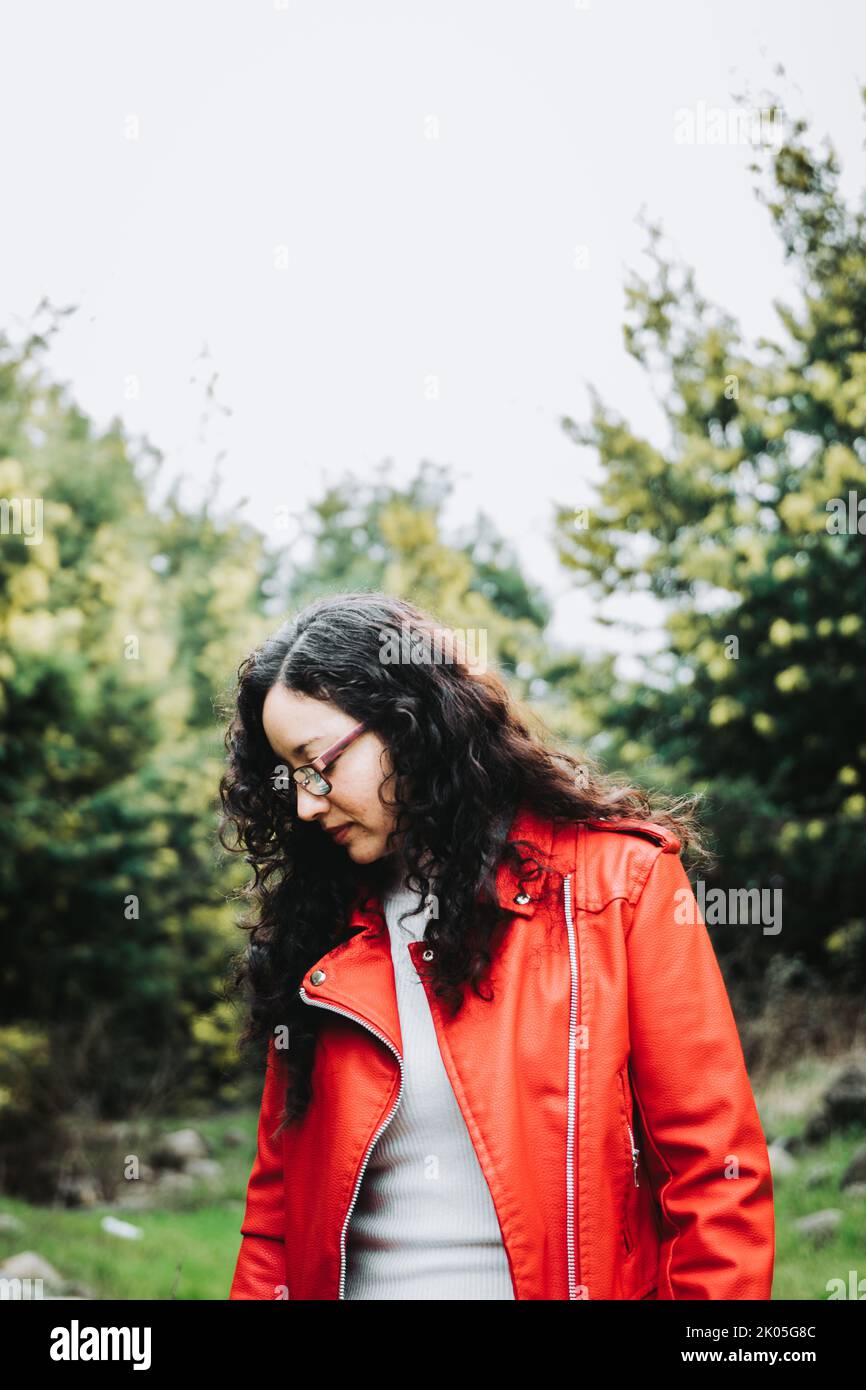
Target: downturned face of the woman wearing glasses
x=293 y=721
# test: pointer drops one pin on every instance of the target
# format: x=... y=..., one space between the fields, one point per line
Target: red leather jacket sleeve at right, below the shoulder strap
x=705 y=1149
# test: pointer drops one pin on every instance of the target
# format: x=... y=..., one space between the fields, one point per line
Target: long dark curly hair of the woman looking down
x=464 y=762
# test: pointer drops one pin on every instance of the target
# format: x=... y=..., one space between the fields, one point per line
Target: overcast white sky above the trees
x=344 y=199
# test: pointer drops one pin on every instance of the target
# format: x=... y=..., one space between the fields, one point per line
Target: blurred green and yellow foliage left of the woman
x=119 y=626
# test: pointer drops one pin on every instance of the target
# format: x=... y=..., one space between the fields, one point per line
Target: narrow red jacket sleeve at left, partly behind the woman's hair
x=261 y=1271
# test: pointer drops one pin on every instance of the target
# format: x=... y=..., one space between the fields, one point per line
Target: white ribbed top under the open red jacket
x=425 y=1224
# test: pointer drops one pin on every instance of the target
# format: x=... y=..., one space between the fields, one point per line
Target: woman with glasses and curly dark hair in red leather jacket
x=501 y=1057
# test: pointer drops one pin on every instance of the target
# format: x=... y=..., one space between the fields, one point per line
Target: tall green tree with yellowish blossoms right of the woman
x=758 y=696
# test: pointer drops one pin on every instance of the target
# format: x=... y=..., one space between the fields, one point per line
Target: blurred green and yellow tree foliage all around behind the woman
x=122 y=633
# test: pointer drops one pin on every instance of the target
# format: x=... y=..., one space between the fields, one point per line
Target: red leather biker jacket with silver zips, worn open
x=604 y=1089
